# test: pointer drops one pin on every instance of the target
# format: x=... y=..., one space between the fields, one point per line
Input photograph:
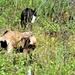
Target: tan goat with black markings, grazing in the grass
x=11 y=39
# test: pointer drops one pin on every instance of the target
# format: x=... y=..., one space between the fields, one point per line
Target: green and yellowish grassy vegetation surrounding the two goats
x=55 y=53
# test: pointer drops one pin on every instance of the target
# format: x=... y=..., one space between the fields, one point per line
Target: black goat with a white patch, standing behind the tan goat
x=28 y=15
